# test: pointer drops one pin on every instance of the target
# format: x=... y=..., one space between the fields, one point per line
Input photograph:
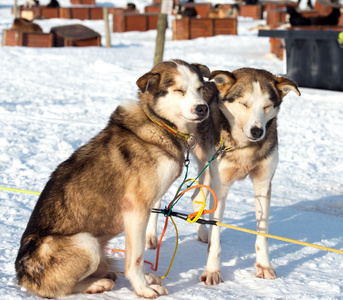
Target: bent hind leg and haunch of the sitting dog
x=56 y=264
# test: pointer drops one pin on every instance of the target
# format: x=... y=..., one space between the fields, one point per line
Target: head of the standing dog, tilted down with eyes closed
x=250 y=98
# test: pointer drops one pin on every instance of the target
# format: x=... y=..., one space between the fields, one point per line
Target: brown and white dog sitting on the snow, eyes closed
x=109 y=186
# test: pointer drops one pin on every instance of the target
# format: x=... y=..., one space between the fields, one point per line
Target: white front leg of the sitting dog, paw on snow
x=135 y=224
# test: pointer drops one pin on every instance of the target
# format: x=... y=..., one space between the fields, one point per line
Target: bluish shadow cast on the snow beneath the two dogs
x=306 y=221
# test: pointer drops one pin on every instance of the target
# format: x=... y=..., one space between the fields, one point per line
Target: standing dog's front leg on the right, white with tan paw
x=262 y=188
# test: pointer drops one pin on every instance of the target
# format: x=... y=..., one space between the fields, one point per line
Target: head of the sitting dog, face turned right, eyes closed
x=173 y=90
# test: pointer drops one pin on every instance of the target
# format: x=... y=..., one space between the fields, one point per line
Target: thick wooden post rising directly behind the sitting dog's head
x=161 y=30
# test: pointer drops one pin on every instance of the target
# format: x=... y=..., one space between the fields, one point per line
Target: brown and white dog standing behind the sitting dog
x=243 y=112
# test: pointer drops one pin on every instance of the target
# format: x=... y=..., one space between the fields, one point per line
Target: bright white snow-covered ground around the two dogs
x=54 y=100
